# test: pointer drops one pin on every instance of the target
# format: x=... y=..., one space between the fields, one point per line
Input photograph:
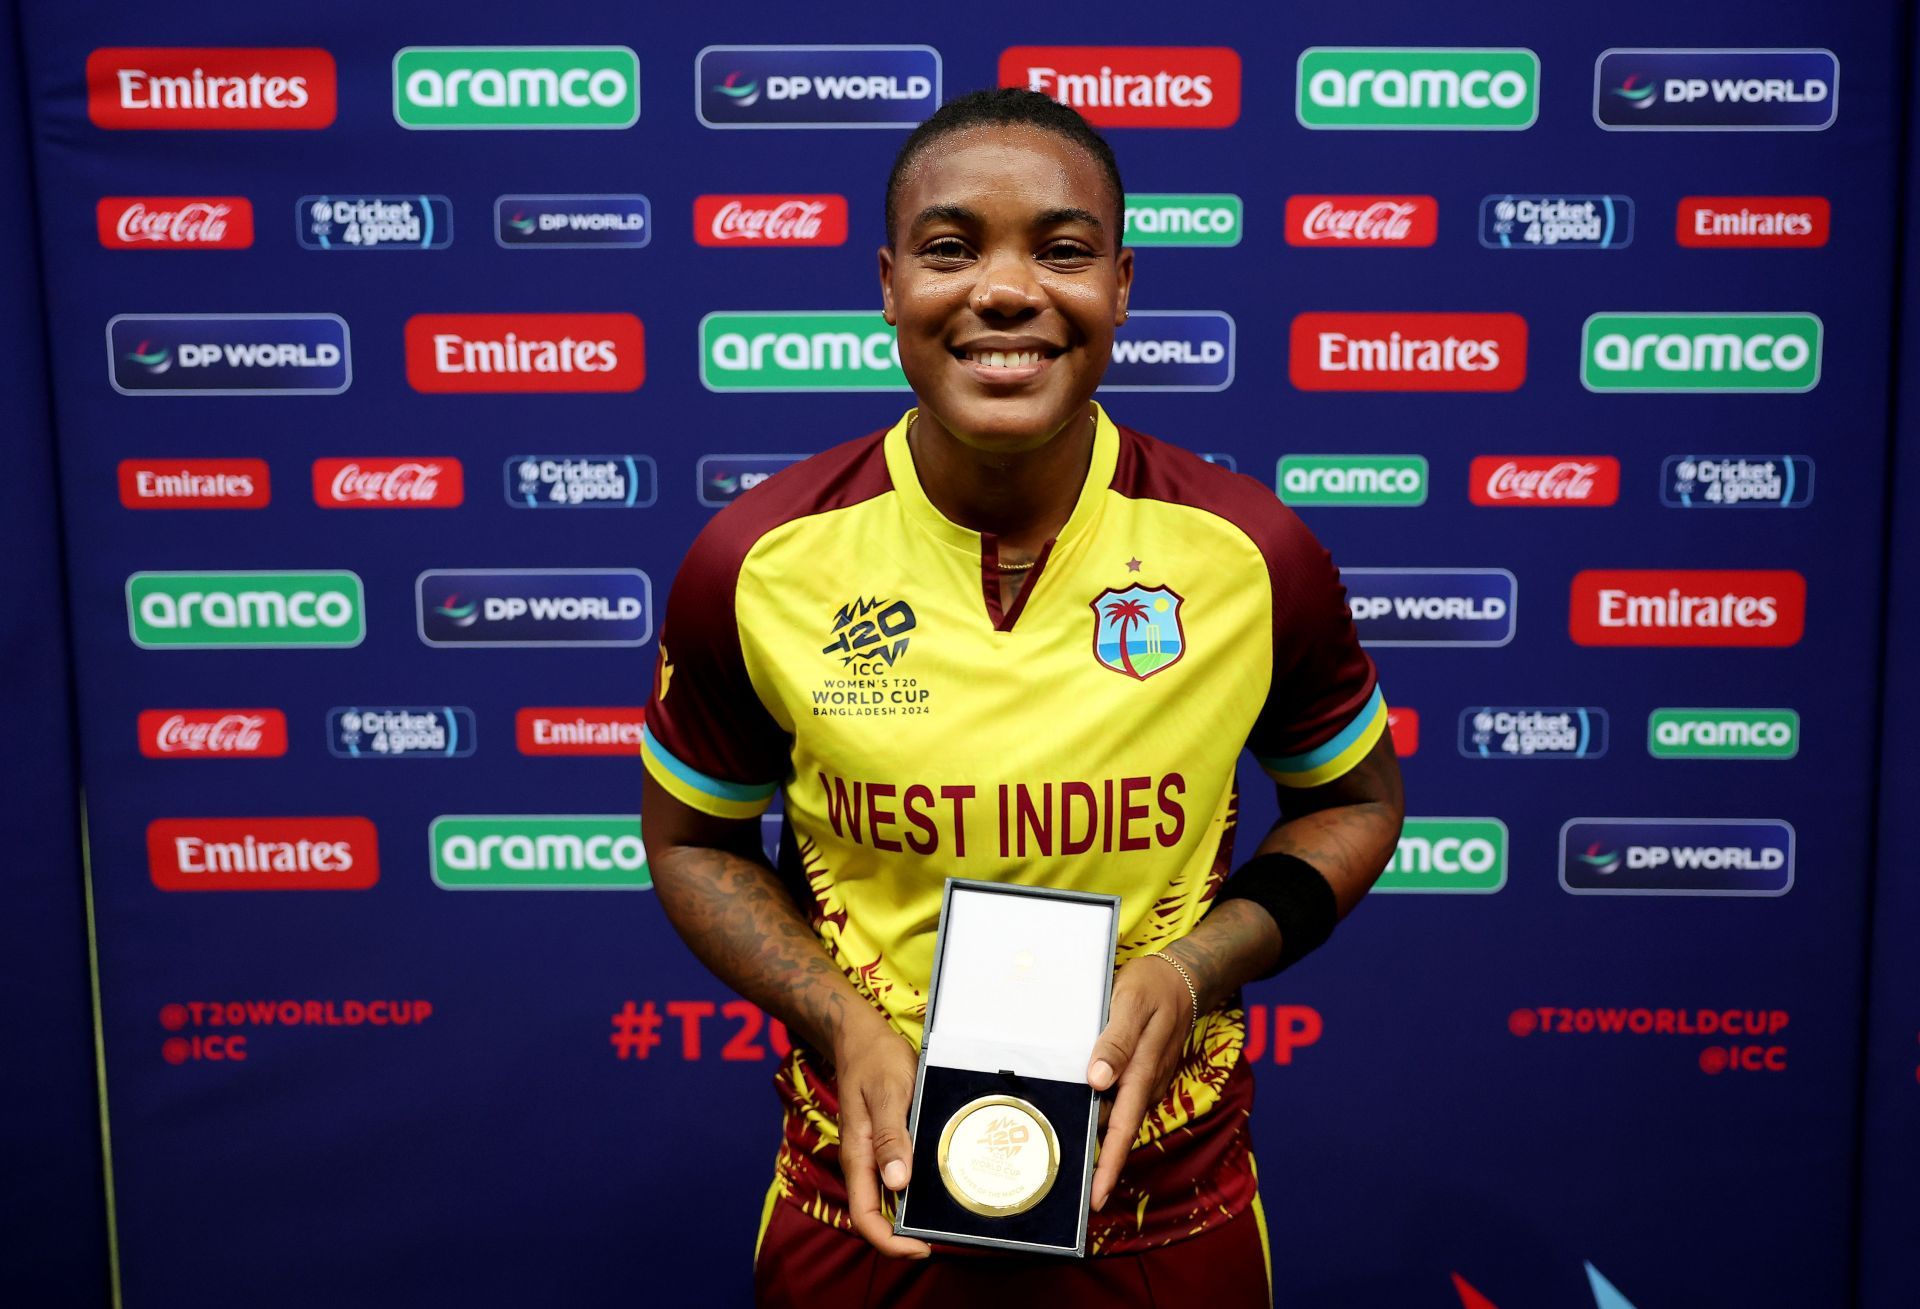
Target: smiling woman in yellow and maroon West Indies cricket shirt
x=1011 y=640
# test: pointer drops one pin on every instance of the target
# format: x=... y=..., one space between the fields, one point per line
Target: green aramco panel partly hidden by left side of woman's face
x=828 y=350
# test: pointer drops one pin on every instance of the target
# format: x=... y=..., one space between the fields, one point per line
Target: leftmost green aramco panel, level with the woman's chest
x=245 y=609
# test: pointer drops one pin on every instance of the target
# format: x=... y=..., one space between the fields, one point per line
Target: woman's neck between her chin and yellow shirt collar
x=1022 y=498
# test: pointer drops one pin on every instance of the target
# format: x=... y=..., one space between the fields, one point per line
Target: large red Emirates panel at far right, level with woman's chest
x=1687 y=607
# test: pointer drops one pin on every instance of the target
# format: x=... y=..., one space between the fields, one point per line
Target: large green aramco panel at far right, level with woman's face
x=1702 y=352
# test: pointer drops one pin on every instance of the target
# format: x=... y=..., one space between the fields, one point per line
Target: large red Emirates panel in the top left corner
x=210 y=87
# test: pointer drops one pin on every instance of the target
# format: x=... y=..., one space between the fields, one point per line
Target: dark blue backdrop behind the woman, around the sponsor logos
x=521 y=1141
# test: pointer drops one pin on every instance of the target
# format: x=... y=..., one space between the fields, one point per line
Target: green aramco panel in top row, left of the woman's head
x=508 y=87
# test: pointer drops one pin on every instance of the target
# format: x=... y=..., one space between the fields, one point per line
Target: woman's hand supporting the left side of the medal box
x=875 y=1072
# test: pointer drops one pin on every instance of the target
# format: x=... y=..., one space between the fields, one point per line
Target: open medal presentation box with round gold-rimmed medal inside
x=1003 y=1118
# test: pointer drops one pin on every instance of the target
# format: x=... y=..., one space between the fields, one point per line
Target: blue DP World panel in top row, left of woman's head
x=817 y=85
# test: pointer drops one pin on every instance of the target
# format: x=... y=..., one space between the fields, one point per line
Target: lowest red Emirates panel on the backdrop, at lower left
x=262 y=853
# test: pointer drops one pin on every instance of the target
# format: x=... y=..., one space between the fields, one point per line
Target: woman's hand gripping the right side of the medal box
x=1145 y=1035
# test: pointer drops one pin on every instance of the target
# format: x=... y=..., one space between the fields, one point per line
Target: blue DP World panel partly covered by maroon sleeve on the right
x=1431 y=606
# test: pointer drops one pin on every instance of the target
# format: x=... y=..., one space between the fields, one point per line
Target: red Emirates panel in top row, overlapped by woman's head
x=1134 y=85
